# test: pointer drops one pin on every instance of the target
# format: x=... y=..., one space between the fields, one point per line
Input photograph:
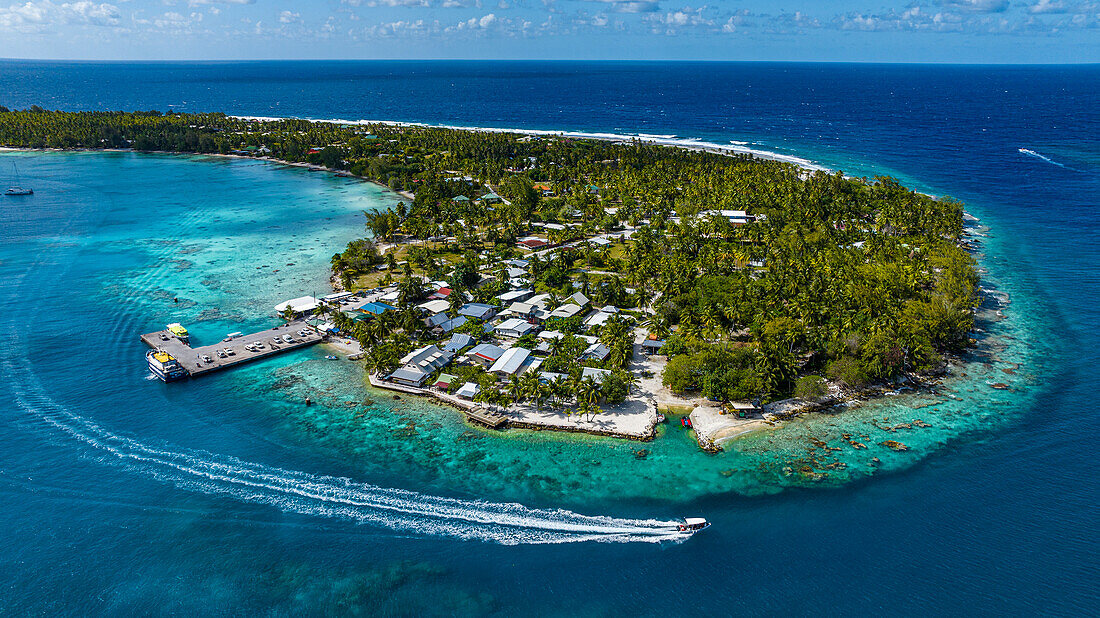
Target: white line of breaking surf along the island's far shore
x=692 y=144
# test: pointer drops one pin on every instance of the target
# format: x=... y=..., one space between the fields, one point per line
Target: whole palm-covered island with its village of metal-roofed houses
x=600 y=285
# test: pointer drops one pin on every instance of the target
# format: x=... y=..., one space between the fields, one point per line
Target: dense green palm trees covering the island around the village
x=853 y=280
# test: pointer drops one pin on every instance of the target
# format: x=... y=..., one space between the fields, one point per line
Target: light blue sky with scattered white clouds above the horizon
x=937 y=31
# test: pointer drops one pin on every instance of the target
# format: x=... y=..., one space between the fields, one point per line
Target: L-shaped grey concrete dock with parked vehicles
x=192 y=358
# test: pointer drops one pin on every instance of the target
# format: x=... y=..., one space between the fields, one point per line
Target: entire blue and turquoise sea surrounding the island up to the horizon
x=224 y=495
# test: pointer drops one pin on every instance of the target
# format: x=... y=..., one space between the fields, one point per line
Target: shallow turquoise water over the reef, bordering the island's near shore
x=244 y=236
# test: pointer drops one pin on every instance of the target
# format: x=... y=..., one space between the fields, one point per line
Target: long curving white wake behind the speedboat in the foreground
x=329 y=496
